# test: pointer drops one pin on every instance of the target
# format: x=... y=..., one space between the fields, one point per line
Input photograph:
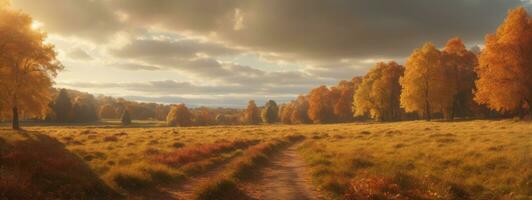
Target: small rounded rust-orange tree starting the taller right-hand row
x=320 y=105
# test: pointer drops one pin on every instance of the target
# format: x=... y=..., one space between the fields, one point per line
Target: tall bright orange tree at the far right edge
x=505 y=66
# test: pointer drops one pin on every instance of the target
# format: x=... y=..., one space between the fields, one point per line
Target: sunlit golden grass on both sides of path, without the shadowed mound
x=416 y=159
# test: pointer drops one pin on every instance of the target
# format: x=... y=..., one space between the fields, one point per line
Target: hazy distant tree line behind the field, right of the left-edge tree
x=71 y=106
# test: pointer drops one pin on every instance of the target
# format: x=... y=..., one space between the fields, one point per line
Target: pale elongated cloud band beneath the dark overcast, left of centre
x=200 y=60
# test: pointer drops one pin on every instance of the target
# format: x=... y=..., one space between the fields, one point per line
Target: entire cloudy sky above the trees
x=226 y=52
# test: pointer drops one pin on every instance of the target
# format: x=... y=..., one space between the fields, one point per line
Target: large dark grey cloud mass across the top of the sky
x=326 y=29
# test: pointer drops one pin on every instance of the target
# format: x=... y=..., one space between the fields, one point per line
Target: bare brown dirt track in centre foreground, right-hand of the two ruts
x=286 y=178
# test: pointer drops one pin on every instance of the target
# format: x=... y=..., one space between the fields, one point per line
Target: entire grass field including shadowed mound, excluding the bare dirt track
x=402 y=160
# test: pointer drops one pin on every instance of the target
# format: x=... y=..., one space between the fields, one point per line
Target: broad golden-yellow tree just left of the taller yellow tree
x=378 y=94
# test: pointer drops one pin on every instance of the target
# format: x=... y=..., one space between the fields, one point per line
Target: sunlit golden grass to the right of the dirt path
x=425 y=160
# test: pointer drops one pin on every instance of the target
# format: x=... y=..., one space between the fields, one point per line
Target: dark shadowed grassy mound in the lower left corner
x=36 y=166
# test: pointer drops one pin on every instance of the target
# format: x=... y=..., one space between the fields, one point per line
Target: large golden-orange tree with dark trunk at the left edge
x=27 y=67
